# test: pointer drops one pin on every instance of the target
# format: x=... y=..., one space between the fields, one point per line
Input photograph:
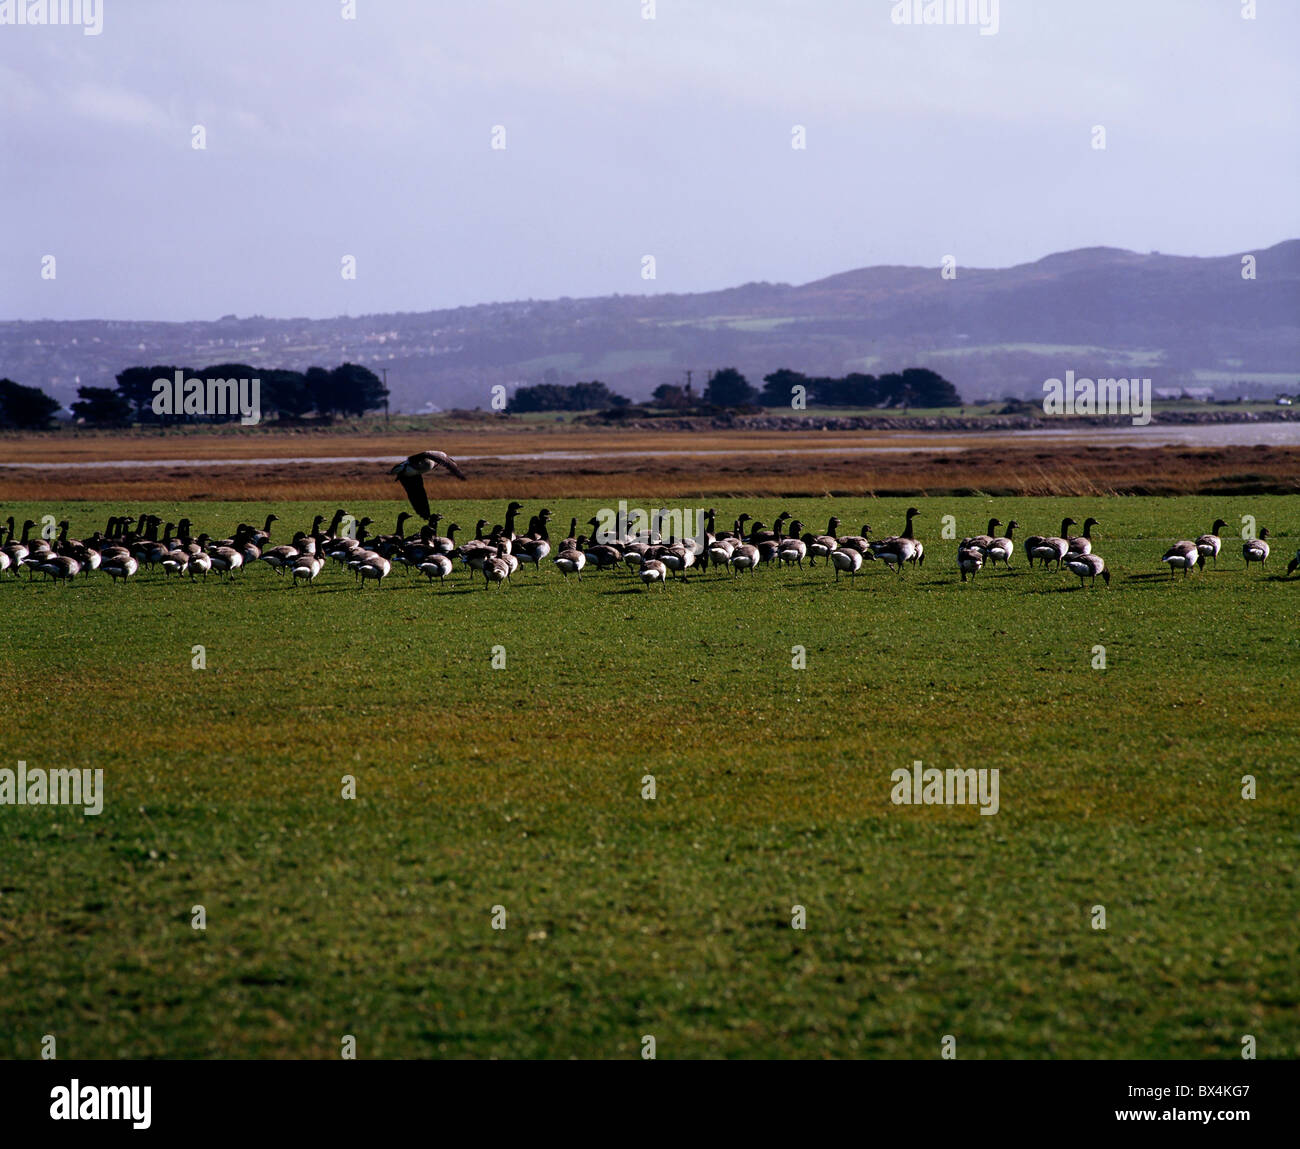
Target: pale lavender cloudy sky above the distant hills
x=367 y=129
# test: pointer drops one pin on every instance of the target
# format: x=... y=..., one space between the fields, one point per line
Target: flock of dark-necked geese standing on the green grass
x=132 y=544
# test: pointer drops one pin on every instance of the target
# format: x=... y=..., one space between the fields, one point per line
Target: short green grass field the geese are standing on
x=522 y=788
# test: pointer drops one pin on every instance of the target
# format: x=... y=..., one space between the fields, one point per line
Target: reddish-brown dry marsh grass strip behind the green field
x=635 y=470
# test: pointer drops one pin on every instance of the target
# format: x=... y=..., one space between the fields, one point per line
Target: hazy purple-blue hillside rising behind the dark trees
x=1099 y=311
